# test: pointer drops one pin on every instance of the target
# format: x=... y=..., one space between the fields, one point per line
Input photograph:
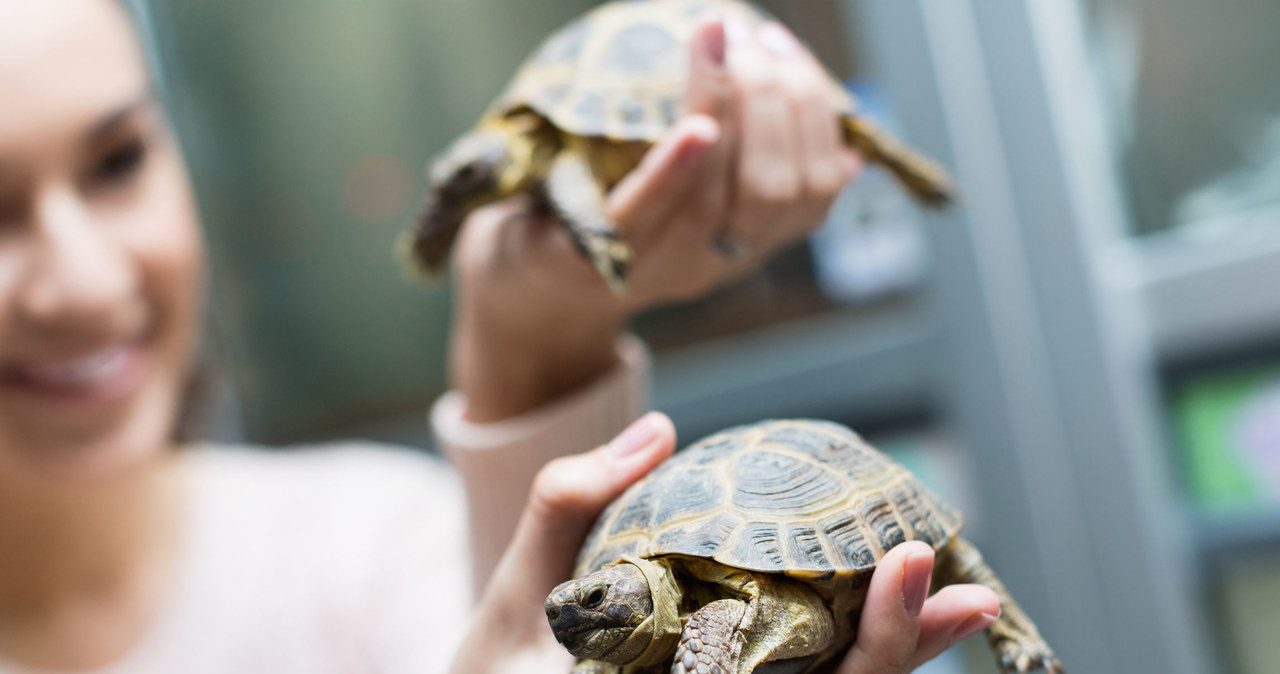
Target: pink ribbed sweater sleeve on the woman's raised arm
x=499 y=461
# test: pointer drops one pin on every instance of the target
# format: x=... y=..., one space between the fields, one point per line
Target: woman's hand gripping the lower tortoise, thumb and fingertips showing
x=900 y=630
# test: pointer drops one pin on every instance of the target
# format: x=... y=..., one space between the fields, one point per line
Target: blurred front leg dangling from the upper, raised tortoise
x=573 y=194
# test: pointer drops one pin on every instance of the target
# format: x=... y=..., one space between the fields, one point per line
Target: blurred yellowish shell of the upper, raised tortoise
x=620 y=71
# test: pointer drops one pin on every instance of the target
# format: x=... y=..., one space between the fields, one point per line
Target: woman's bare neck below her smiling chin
x=86 y=566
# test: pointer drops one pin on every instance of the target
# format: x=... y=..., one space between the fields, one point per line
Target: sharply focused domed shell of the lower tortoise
x=808 y=499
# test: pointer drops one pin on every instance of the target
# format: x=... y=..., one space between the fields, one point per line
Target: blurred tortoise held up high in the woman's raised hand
x=582 y=113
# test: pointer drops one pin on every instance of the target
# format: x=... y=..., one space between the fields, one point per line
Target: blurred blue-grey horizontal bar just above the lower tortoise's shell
x=847 y=365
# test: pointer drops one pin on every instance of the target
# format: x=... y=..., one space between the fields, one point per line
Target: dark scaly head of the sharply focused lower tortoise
x=610 y=615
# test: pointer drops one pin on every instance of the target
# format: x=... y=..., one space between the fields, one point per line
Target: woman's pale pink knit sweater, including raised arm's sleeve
x=354 y=558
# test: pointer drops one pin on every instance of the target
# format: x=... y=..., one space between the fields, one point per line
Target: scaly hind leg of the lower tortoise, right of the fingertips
x=1014 y=639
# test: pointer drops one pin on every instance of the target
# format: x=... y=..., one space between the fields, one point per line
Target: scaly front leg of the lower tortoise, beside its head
x=714 y=636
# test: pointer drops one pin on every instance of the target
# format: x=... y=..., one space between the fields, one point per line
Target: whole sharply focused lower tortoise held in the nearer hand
x=753 y=549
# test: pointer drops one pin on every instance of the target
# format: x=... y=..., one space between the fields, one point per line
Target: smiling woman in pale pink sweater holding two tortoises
x=122 y=553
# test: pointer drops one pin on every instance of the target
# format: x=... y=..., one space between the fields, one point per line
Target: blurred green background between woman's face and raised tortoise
x=276 y=104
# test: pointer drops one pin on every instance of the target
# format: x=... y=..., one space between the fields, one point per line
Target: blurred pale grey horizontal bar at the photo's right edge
x=1205 y=294
